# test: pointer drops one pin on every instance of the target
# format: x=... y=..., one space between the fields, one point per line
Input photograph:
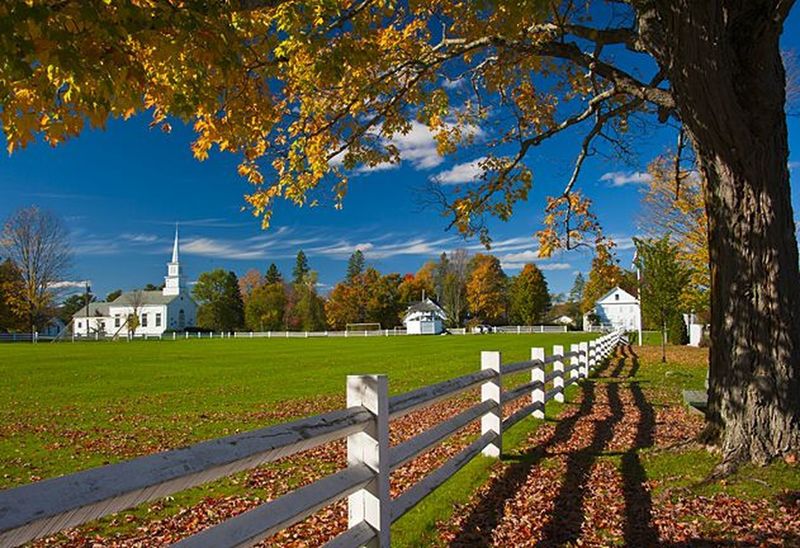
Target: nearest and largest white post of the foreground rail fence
x=371 y=447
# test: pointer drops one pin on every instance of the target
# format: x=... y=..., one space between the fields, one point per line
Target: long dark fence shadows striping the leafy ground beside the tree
x=567 y=517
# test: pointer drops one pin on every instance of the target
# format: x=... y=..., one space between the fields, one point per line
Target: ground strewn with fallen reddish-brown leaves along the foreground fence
x=616 y=465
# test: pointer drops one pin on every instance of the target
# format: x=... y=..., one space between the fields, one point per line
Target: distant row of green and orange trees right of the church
x=470 y=289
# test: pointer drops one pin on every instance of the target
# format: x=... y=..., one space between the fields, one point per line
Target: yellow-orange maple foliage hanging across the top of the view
x=305 y=91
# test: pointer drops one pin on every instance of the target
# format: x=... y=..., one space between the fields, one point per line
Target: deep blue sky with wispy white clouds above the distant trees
x=120 y=191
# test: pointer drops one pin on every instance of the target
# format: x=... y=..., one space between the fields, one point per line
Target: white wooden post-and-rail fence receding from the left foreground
x=43 y=508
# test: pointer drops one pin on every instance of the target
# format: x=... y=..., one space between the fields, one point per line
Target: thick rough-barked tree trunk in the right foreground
x=723 y=61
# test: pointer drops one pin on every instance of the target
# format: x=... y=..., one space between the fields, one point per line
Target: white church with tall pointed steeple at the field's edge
x=171 y=308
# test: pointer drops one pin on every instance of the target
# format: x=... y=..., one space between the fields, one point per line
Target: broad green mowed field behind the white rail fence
x=70 y=406
